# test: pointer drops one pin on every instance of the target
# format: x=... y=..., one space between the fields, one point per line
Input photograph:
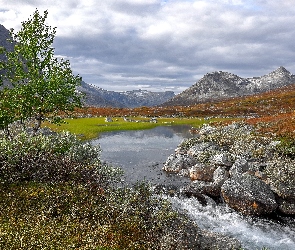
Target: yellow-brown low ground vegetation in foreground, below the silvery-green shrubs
x=55 y=216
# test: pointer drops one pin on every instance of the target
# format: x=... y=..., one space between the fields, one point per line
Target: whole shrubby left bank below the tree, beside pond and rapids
x=56 y=194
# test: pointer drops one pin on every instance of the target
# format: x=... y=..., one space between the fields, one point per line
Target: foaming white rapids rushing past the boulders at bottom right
x=253 y=233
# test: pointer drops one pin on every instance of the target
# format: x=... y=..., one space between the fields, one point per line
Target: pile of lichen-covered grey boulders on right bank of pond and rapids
x=234 y=165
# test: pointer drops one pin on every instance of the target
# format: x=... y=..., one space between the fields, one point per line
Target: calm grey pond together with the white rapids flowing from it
x=141 y=155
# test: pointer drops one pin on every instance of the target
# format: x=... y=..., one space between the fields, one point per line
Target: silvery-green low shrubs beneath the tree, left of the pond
x=53 y=158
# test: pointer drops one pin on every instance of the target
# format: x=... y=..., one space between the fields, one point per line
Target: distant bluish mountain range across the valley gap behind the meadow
x=99 y=97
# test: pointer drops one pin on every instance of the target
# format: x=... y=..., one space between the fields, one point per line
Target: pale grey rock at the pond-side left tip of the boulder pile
x=177 y=162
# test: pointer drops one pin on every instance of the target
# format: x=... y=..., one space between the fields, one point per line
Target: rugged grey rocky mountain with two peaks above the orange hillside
x=221 y=85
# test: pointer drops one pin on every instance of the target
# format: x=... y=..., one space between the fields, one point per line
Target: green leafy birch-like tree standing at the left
x=41 y=86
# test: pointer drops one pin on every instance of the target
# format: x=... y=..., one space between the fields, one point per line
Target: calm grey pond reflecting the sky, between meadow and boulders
x=141 y=153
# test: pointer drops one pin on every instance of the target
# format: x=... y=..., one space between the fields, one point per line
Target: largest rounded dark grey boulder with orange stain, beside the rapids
x=248 y=195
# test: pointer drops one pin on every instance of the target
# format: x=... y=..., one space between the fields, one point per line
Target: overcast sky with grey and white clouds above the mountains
x=163 y=45
